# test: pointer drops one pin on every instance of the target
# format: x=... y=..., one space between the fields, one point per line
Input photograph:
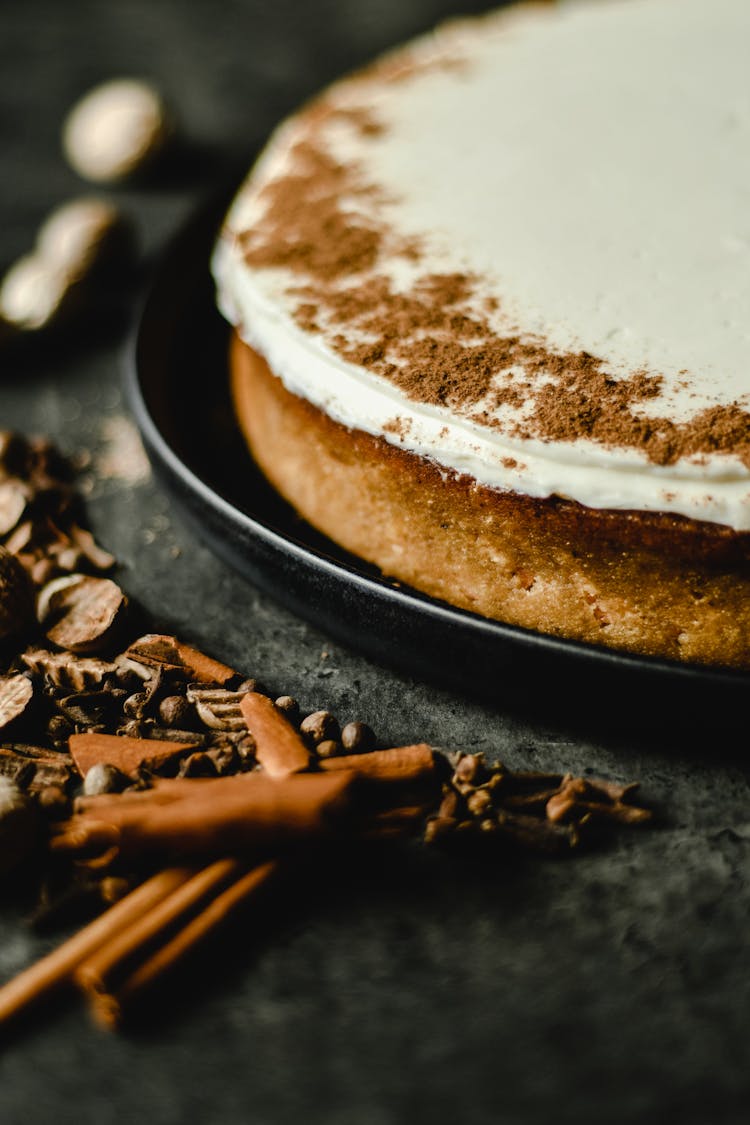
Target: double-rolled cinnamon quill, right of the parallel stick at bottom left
x=113 y=989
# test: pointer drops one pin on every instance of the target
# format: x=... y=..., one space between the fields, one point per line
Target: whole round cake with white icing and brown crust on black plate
x=491 y=320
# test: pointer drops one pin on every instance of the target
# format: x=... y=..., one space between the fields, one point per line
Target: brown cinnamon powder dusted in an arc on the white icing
x=327 y=224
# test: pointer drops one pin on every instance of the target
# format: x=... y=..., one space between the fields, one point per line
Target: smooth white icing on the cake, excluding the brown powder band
x=592 y=165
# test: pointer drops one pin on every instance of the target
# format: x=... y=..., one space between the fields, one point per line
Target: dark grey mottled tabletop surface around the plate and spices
x=610 y=988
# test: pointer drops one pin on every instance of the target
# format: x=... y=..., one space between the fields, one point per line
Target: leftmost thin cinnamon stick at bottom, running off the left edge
x=58 y=968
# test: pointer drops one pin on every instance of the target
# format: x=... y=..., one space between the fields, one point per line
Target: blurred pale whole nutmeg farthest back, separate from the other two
x=115 y=130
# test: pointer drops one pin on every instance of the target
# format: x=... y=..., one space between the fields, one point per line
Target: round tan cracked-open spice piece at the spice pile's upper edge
x=80 y=614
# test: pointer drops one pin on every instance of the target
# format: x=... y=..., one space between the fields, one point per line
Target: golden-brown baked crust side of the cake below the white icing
x=653 y=584
